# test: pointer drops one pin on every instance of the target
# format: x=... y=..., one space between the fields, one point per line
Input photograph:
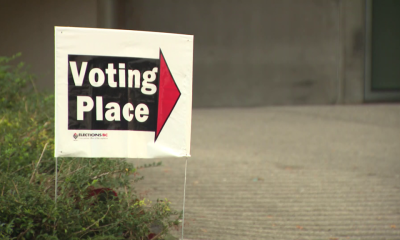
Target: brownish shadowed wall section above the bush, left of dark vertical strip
x=28 y=27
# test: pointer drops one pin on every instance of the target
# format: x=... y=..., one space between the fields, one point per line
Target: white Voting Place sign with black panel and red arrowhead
x=122 y=94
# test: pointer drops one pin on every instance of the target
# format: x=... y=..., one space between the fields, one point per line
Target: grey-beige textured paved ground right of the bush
x=317 y=172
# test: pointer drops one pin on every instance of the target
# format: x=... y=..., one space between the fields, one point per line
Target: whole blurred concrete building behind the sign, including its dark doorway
x=247 y=53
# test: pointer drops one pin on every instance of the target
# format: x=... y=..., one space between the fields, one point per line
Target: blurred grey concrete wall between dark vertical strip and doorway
x=265 y=52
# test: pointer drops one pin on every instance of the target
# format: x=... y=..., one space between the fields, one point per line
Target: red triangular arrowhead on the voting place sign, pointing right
x=168 y=95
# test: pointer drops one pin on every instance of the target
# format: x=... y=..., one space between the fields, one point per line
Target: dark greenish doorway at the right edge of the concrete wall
x=383 y=50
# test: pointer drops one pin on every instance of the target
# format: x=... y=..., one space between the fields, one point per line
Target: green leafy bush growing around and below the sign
x=27 y=178
